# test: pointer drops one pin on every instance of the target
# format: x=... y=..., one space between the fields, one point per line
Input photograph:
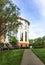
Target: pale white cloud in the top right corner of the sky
x=41 y=5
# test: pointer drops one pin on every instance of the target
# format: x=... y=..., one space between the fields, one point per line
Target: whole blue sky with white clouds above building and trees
x=34 y=12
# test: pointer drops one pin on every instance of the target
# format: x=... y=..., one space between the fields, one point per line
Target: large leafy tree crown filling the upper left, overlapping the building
x=8 y=16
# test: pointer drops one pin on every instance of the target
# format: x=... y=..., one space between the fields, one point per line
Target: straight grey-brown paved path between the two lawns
x=29 y=58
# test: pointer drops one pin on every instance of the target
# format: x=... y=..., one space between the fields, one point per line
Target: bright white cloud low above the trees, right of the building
x=35 y=34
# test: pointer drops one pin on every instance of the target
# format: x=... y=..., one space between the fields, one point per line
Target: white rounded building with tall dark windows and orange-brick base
x=23 y=33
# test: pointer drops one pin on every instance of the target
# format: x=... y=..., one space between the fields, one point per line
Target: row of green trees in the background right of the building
x=38 y=42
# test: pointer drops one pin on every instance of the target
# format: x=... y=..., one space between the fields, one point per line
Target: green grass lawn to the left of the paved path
x=11 y=57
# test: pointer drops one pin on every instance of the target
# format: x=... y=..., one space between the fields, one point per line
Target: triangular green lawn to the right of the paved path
x=40 y=53
